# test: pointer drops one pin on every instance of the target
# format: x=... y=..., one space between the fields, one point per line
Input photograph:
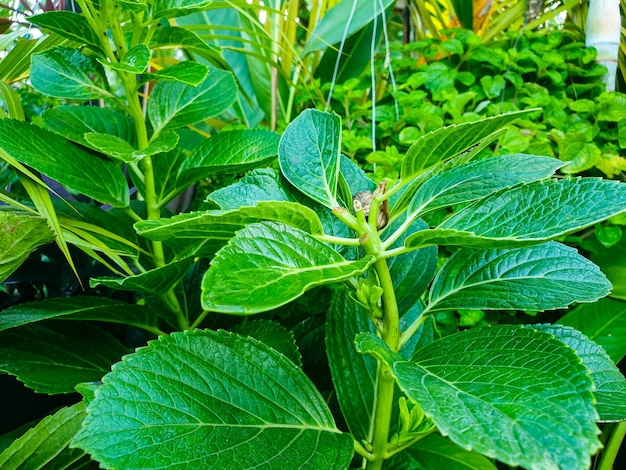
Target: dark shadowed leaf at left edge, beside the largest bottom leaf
x=52 y=357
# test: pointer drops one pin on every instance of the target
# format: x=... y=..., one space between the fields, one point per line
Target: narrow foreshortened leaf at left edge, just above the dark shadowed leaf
x=81 y=307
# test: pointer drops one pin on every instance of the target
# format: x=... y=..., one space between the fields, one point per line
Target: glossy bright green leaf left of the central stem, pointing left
x=269 y=264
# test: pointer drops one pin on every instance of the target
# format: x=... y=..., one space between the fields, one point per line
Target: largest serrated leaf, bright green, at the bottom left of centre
x=153 y=413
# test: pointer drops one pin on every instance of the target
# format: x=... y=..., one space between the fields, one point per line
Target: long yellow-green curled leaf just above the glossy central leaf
x=222 y=225
